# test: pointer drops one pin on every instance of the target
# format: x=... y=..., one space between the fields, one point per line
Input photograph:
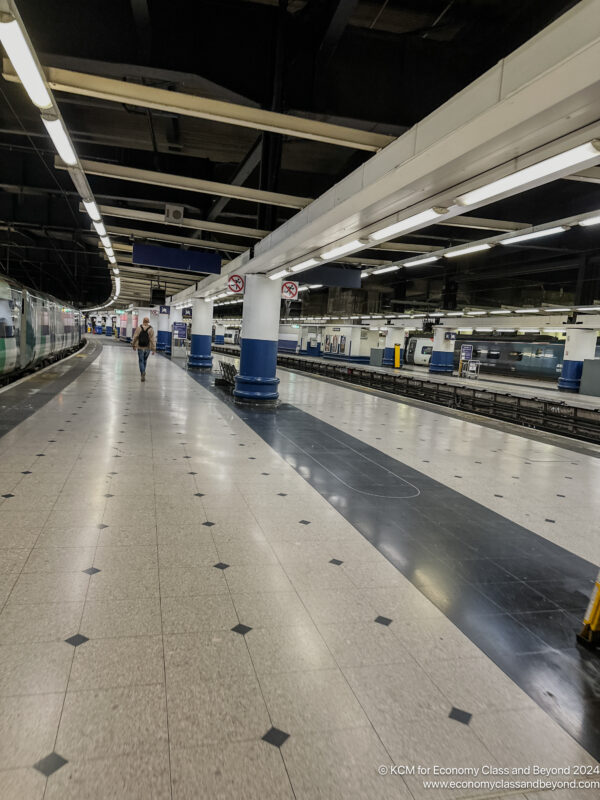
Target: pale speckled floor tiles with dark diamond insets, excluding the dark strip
x=215 y=651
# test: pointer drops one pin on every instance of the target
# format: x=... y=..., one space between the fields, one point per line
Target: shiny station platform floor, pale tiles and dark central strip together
x=205 y=600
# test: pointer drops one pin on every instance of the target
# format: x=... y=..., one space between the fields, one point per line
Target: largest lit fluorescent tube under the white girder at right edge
x=590 y=151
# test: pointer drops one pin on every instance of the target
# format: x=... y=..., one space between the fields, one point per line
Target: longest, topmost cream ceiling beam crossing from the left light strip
x=134 y=94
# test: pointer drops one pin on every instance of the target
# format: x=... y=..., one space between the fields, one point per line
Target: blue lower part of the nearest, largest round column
x=257 y=380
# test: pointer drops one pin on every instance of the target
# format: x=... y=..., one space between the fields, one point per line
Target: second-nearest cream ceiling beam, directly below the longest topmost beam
x=181 y=182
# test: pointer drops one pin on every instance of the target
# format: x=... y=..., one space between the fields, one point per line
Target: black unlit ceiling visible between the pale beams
x=381 y=65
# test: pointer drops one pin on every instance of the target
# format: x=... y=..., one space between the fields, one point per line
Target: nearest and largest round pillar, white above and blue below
x=257 y=378
